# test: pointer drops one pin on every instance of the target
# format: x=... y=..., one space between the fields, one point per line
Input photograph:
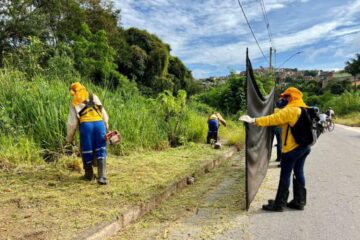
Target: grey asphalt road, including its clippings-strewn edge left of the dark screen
x=332 y=172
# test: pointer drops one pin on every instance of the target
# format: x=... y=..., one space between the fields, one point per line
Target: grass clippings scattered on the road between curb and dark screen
x=177 y=214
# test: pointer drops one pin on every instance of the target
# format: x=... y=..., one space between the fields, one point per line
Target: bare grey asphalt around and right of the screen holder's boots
x=332 y=173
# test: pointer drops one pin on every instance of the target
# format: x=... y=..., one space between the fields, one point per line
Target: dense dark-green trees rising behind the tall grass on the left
x=84 y=37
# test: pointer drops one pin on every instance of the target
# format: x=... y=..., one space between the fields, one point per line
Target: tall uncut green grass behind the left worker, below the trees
x=37 y=111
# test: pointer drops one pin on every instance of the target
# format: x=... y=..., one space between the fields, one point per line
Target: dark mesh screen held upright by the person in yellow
x=258 y=139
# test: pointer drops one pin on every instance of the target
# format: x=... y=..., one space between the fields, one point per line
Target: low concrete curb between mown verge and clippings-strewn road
x=134 y=213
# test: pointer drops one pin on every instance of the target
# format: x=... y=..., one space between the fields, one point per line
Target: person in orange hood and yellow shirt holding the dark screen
x=293 y=155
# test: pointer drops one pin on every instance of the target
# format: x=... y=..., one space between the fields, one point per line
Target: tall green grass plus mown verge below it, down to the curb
x=41 y=200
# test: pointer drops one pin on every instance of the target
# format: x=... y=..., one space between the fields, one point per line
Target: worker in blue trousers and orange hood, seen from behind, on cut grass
x=87 y=113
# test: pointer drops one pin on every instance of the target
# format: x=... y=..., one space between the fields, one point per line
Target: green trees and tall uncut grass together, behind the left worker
x=47 y=45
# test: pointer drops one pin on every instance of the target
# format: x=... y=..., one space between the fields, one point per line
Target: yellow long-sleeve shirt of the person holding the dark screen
x=282 y=118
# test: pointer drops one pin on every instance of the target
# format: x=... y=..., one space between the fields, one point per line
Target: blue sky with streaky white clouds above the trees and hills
x=211 y=36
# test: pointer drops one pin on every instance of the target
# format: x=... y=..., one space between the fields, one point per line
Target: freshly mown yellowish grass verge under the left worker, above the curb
x=50 y=202
